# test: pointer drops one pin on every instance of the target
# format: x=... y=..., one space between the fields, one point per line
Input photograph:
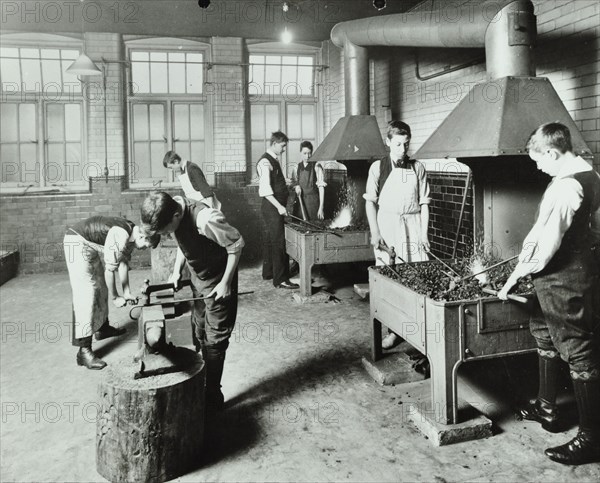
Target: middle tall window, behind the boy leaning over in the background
x=167 y=112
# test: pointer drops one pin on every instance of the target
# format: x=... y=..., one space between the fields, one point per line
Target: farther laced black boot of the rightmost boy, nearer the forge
x=543 y=409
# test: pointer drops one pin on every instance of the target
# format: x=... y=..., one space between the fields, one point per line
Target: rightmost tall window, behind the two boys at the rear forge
x=282 y=97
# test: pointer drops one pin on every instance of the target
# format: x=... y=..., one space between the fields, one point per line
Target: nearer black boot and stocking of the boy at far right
x=585 y=447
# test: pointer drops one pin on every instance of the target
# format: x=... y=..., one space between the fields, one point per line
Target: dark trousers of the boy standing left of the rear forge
x=275 y=258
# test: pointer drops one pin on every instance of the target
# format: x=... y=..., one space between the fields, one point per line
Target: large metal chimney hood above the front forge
x=497 y=117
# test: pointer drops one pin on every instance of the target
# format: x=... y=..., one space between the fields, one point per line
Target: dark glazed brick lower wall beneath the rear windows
x=35 y=224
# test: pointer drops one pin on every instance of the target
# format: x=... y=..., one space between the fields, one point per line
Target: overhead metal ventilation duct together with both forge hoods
x=496 y=117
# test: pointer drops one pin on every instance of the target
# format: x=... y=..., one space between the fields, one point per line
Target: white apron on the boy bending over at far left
x=90 y=294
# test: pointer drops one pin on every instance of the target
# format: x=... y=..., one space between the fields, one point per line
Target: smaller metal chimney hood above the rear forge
x=353 y=138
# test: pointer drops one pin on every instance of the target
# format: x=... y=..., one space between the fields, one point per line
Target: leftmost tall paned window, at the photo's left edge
x=41 y=140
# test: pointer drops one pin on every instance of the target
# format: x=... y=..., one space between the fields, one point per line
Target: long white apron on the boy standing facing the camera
x=399 y=217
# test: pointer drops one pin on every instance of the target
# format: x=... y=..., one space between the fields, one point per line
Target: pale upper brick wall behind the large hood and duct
x=567 y=52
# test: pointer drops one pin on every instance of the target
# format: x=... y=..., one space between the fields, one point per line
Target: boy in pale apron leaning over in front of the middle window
x=192 y=180
